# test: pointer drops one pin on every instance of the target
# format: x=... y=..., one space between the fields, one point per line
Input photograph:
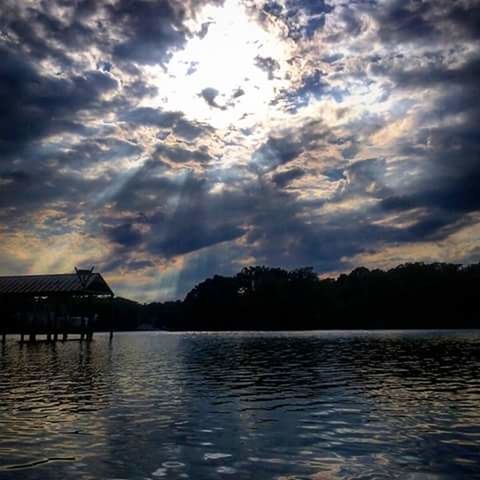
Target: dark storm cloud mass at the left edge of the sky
x=34 y=106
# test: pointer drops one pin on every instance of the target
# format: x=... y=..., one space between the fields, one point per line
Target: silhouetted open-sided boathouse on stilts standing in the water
x=55 y=305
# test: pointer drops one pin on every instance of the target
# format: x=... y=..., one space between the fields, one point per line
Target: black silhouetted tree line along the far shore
x=412 y=295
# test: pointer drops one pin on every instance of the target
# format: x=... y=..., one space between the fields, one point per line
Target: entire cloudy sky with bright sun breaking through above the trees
x=165 y=141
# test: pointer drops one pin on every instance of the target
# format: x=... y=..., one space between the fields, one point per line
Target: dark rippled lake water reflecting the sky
x=321 y=405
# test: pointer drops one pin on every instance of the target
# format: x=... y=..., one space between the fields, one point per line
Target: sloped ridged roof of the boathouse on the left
x=81 y=282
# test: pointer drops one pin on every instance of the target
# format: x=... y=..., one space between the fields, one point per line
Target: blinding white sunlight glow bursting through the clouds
x=225 y=63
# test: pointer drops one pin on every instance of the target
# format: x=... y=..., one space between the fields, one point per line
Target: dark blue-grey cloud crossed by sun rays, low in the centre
x=192 y=221
